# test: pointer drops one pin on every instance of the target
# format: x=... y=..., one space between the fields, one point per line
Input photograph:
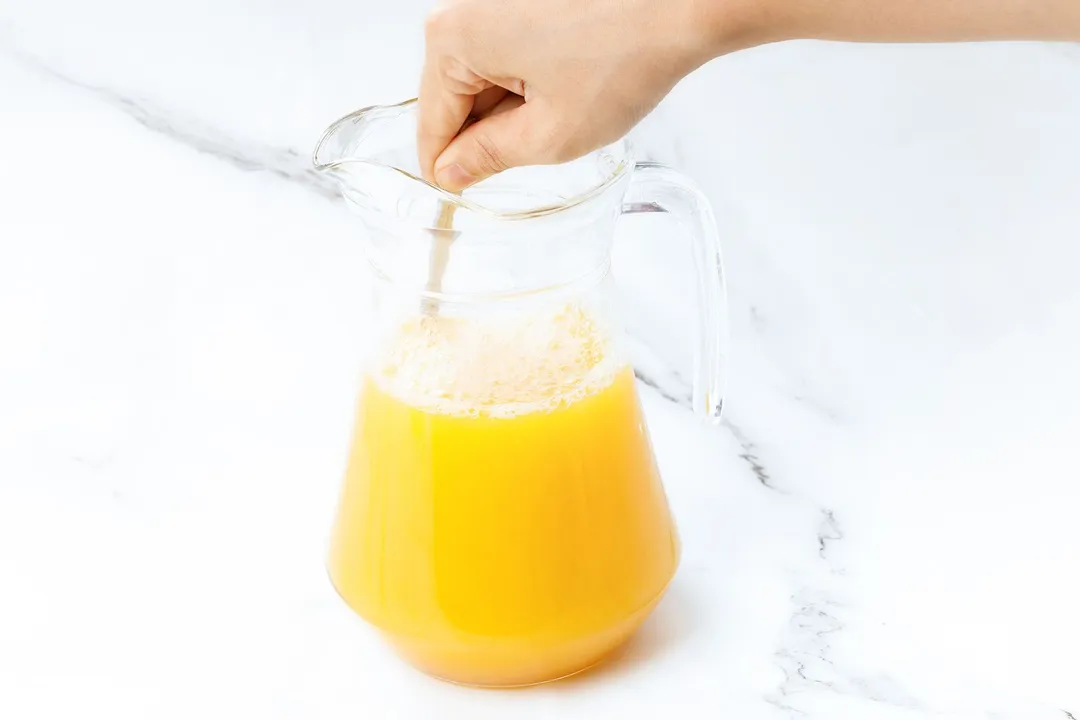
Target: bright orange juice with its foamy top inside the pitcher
x=503 y=520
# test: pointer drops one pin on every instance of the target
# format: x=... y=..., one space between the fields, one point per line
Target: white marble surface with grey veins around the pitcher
x=885 y=529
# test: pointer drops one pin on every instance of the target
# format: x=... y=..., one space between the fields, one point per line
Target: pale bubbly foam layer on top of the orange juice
x=497 y=368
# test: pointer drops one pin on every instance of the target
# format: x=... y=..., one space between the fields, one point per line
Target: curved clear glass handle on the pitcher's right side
x=657 y=188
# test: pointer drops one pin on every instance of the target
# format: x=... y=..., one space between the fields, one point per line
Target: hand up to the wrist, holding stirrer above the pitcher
x=542 y=83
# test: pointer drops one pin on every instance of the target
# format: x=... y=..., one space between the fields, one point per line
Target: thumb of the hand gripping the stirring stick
x=496 y=143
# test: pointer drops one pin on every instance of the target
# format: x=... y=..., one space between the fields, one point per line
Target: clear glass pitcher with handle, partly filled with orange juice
x=503 y=521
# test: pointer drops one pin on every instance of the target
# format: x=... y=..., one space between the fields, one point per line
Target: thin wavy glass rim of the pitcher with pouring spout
x=626 y=165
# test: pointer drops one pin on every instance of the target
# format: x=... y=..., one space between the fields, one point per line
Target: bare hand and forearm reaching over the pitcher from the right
x=532 y=83
